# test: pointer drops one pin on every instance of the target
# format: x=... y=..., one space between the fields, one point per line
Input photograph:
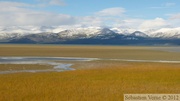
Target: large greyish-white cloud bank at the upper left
x=18 y=14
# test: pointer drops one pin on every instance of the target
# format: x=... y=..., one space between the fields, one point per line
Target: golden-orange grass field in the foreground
x=104 y=82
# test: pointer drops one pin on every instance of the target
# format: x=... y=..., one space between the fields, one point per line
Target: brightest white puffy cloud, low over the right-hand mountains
x=153 y=24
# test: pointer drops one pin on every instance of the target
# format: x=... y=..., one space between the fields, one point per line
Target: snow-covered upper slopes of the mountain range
x=86 y=32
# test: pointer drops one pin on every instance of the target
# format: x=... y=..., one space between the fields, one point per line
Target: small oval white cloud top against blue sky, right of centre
x=116 y=11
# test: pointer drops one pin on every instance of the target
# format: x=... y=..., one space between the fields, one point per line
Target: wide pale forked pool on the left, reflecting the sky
x=54 y=61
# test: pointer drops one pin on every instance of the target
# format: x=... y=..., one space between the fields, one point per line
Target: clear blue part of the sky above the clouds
x=134 y=8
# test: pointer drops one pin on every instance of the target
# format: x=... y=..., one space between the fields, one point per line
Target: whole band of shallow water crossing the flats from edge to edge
x=63 y=63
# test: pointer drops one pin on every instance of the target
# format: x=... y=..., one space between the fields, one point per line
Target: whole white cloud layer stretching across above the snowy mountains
x=21 y=14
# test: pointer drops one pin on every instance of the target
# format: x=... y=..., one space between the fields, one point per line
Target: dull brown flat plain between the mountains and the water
x=122 y=52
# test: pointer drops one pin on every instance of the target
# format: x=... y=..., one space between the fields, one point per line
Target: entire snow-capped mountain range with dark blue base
x=89 y=35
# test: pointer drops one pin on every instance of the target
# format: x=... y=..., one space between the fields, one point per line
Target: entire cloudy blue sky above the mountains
x=134 y=14
